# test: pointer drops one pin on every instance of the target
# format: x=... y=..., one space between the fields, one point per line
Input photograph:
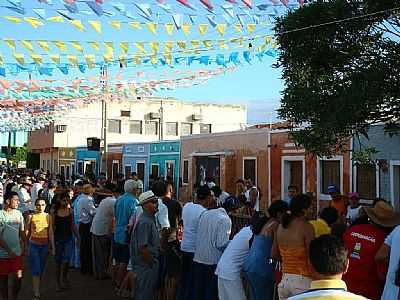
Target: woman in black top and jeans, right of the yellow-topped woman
x=63 y=220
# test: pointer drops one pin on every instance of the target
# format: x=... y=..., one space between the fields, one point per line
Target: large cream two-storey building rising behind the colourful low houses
x=134 y=120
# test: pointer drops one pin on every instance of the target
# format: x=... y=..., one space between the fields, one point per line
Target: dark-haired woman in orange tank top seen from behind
x=291 y=244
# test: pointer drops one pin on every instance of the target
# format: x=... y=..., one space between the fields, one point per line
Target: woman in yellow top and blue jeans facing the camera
x=39 y=232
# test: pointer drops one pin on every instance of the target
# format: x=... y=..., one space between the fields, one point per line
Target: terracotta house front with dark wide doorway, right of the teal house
x=225 y=157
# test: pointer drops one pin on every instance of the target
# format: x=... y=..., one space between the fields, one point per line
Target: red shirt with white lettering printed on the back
x=363 y=242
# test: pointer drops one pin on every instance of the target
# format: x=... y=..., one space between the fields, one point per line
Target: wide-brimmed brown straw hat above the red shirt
x=383 y=214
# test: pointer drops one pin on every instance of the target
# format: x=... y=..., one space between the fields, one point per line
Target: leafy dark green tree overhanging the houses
x=341 y=66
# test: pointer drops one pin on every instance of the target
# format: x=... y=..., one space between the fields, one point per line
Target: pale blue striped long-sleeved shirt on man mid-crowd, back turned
x=212 y=238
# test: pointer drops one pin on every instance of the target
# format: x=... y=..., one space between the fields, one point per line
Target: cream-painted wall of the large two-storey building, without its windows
x=86 y=122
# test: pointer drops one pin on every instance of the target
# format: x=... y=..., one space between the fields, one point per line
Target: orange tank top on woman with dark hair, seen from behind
x=294 y=261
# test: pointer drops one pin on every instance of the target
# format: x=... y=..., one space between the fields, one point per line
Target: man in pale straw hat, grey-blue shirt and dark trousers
x=144 y=246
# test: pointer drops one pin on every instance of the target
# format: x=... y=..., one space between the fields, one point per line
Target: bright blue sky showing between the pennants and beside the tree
x=257 y=85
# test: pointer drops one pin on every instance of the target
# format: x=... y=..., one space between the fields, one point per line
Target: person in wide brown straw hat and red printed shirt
x=365 y=276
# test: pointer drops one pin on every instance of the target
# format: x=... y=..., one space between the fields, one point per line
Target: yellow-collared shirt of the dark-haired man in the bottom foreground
x=327 y=290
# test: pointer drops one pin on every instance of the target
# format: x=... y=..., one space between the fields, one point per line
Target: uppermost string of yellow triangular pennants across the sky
x=152 y=27
